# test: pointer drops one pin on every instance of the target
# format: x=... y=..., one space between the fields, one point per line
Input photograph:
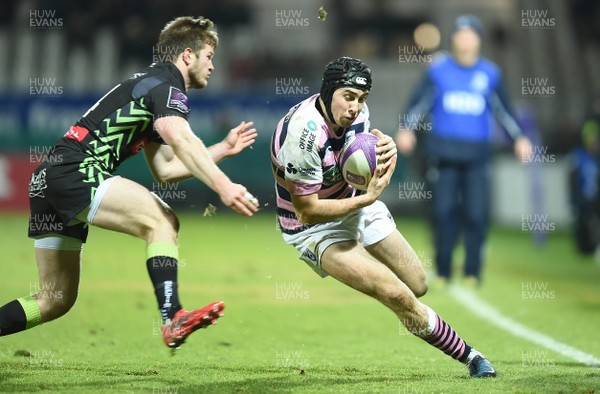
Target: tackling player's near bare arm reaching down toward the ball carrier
x=190 y=150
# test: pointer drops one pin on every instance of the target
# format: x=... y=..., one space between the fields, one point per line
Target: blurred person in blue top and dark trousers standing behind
x=458 y=93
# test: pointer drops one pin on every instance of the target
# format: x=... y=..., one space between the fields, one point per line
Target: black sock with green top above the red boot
x=162 y=267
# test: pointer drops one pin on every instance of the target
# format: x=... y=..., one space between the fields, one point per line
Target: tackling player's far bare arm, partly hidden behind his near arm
x=166 y=166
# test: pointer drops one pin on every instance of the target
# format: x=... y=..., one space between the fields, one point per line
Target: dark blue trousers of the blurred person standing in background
x=461 y=203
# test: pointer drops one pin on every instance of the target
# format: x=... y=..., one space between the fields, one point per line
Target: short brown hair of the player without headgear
x=186 y=32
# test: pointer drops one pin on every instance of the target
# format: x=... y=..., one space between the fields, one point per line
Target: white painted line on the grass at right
x=471 y=301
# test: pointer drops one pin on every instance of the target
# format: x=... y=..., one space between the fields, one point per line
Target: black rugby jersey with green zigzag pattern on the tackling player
x=120 y=124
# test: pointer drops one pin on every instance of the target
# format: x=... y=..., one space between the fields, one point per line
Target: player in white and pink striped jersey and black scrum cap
x=345 y=233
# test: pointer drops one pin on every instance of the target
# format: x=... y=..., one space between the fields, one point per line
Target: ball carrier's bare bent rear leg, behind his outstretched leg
x=397 y=254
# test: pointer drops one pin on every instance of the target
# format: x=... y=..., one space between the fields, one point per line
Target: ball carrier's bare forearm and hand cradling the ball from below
x=310 y=209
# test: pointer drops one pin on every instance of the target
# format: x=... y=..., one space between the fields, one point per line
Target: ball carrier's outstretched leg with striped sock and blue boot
x=352 y=265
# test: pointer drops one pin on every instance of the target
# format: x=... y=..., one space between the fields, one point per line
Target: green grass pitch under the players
x=287 y=330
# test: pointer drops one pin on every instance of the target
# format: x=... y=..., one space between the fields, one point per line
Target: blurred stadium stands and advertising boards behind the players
x=59 y=58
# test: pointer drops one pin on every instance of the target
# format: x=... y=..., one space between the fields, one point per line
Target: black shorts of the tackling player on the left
x=60 y=188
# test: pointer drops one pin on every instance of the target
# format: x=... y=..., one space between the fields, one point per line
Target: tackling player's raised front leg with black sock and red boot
x=130 y=208
